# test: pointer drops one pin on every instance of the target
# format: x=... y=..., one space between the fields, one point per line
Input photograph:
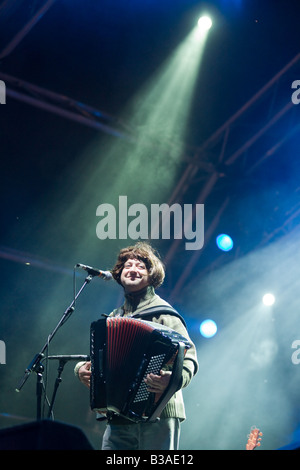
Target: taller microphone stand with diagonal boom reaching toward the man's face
x=36 y=366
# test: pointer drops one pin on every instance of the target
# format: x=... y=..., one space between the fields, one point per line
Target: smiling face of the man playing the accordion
x=134 y=275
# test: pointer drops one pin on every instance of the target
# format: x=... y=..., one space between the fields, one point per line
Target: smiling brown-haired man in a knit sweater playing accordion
x=140 y=271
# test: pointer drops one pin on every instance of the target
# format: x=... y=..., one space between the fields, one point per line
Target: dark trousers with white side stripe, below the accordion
x=160 y=435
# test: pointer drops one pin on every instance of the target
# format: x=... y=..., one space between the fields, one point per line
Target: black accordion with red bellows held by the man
x=123 y=351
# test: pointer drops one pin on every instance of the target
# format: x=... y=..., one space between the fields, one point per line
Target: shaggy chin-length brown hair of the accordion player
x=144 y=252
